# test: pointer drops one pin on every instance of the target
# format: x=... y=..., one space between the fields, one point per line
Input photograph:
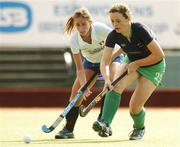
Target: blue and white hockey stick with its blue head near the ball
x=69 y=106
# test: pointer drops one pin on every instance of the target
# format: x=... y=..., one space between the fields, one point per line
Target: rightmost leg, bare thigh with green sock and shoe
x=143 y=91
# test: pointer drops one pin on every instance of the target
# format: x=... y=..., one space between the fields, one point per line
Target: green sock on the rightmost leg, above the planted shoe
x=139 y=119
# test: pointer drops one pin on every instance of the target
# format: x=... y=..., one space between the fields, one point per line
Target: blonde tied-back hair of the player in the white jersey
x=82 y=12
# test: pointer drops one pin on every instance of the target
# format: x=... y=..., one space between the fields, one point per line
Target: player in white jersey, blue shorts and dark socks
x=87 y=43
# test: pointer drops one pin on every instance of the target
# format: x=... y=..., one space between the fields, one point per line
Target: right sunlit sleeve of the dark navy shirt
x=145 y=34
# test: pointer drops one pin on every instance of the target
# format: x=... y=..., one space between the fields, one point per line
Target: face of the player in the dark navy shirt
x=119 y=22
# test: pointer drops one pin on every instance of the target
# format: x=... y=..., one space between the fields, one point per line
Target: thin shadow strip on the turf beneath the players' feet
x=65 y=141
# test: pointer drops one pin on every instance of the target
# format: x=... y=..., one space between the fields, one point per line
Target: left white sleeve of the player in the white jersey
x=74 y=44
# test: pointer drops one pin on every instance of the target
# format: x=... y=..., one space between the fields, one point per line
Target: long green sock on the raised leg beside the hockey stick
x=111 y=104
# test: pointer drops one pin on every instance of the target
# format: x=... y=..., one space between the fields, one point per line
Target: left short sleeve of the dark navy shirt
x=111 y=40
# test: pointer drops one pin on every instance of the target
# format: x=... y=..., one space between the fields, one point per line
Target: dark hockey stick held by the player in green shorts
x=84 y=110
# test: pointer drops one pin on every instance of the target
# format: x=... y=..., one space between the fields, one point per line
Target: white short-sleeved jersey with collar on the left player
x=92 y=52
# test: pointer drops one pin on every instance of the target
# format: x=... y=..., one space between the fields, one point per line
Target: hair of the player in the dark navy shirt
x=122 y=9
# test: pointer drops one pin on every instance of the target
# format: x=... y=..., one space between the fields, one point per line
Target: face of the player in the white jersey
x=82 y=25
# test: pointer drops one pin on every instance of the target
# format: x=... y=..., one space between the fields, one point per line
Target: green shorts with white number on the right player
x=154 y=72
